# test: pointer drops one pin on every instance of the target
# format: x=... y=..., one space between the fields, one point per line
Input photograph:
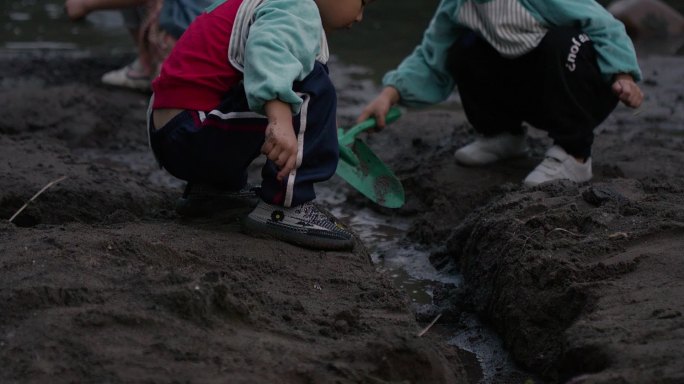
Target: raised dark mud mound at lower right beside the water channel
x=547 y=265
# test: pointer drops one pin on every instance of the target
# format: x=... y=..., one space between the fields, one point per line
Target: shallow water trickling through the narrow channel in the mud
x=411 y=271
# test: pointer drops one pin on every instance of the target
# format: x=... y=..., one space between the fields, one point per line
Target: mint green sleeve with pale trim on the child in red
x=275 y=43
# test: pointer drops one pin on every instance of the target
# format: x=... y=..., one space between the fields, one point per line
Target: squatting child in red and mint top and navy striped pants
x=250 y=77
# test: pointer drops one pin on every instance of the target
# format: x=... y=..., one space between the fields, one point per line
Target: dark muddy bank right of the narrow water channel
x=584 y=283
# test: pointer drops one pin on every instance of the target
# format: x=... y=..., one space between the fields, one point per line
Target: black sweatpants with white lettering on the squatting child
x=557 y=87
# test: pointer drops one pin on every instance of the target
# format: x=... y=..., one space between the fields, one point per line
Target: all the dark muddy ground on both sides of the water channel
x=100 y=281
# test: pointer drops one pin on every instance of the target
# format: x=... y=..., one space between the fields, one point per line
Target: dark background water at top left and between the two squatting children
x=43 y=24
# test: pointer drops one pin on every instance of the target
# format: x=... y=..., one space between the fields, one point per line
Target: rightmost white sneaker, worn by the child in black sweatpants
x=559 y=165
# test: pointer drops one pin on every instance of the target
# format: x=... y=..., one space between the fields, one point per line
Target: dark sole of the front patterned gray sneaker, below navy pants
x=264 y=230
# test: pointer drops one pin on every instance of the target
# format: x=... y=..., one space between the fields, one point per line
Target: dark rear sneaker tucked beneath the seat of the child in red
x=205 y=200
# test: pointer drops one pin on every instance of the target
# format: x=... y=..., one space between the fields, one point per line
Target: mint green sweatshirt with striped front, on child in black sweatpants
x=513 y=28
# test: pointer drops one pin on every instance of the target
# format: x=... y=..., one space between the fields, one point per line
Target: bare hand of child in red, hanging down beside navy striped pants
x=280 y=143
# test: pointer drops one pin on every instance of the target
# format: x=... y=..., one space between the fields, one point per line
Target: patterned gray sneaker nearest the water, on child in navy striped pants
x=305 y=225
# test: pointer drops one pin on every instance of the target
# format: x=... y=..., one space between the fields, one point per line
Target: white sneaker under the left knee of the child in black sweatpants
x=487 y=150
